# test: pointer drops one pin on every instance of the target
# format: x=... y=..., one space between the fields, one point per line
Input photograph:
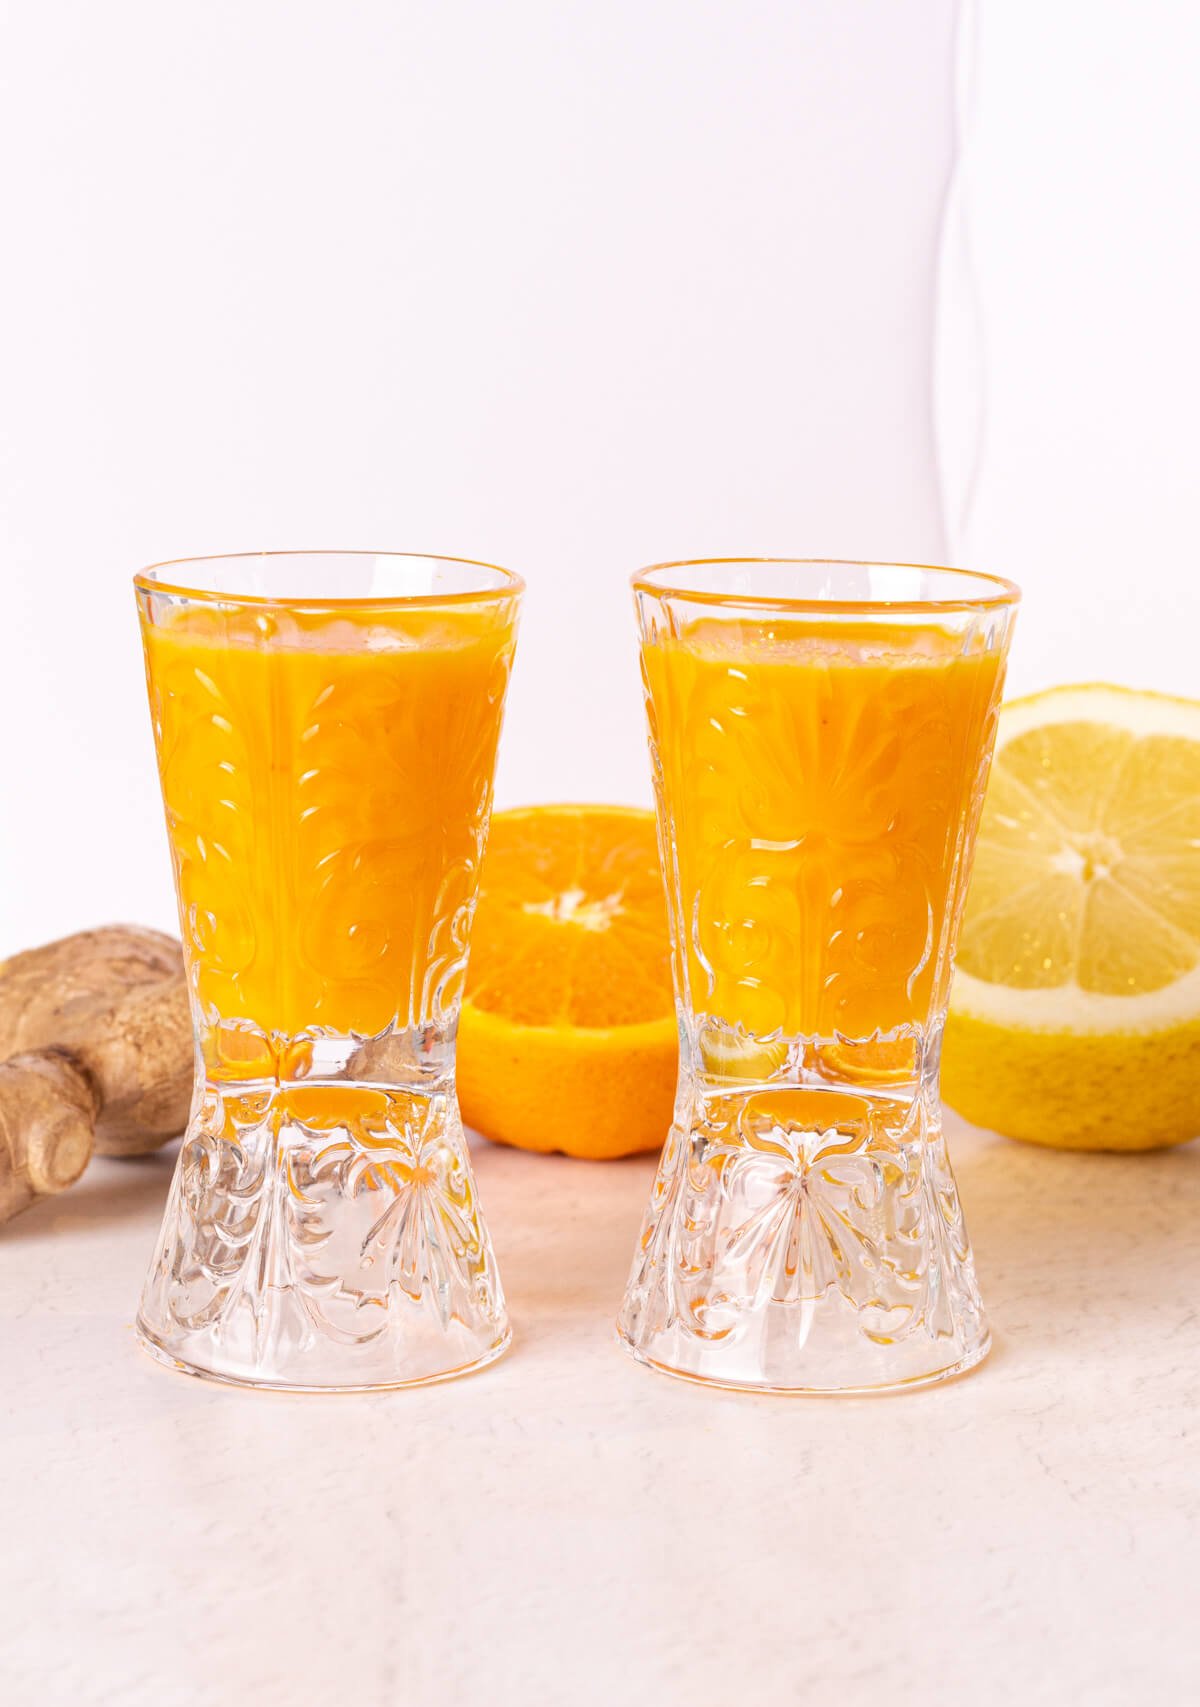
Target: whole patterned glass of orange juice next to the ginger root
x=327 y=731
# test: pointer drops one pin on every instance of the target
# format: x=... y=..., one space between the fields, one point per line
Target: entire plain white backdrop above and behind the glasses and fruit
x=574 y=289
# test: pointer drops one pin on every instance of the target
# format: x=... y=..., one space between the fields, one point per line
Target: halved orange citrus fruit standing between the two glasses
x=568 y=1039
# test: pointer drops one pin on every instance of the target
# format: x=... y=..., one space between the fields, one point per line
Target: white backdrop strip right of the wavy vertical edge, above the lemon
x=1081 y=194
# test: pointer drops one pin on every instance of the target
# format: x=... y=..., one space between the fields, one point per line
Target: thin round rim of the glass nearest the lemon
x=1003 y=593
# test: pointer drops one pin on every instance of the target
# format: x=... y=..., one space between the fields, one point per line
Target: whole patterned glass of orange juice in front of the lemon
x=820 y=740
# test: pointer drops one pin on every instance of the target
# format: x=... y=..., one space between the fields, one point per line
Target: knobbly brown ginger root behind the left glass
x=102 y=1056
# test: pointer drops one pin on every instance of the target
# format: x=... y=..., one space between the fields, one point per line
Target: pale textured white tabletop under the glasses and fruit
x=569 y=1529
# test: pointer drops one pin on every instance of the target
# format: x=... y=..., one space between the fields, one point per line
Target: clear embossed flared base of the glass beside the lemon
x=805 y=1242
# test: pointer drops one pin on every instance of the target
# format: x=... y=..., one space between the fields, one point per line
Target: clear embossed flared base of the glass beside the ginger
x=323 y=1237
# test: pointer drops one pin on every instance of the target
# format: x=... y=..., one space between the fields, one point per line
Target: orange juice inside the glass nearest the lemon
x=824 y=784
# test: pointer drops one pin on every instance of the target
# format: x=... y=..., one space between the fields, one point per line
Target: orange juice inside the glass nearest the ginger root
x=327 y=781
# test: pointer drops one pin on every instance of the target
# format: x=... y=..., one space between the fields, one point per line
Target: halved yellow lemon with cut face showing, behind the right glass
x=1076 y=1006
